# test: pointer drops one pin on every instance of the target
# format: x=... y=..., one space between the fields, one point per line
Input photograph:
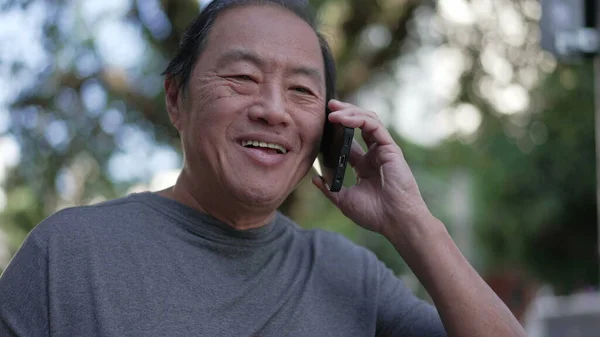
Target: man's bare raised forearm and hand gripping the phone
x=387 y=200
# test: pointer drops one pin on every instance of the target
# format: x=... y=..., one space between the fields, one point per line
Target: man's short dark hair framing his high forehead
x=194 y=39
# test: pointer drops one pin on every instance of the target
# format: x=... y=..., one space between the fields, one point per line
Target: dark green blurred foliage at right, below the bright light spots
x=538 y=209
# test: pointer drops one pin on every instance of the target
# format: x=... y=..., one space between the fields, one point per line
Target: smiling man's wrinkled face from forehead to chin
x=255 y=107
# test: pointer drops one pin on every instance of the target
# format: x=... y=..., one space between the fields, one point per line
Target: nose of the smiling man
x=272 y=107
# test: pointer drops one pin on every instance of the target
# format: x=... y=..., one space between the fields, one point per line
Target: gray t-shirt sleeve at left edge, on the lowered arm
x=24 y=292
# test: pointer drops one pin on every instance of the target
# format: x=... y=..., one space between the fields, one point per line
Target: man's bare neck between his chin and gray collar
x=234 y=214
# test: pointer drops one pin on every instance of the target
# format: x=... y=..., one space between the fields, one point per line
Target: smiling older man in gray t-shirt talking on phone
x=210 y=256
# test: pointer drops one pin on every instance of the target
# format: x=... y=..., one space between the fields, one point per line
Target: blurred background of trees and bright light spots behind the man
x=499 y=134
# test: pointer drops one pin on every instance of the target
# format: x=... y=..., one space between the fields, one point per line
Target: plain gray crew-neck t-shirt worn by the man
x=145 y=265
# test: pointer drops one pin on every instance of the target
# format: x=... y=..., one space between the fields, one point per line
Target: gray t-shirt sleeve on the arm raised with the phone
x=401 y=313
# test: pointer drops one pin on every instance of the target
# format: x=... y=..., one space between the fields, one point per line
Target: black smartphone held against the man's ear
x=334 y=152
